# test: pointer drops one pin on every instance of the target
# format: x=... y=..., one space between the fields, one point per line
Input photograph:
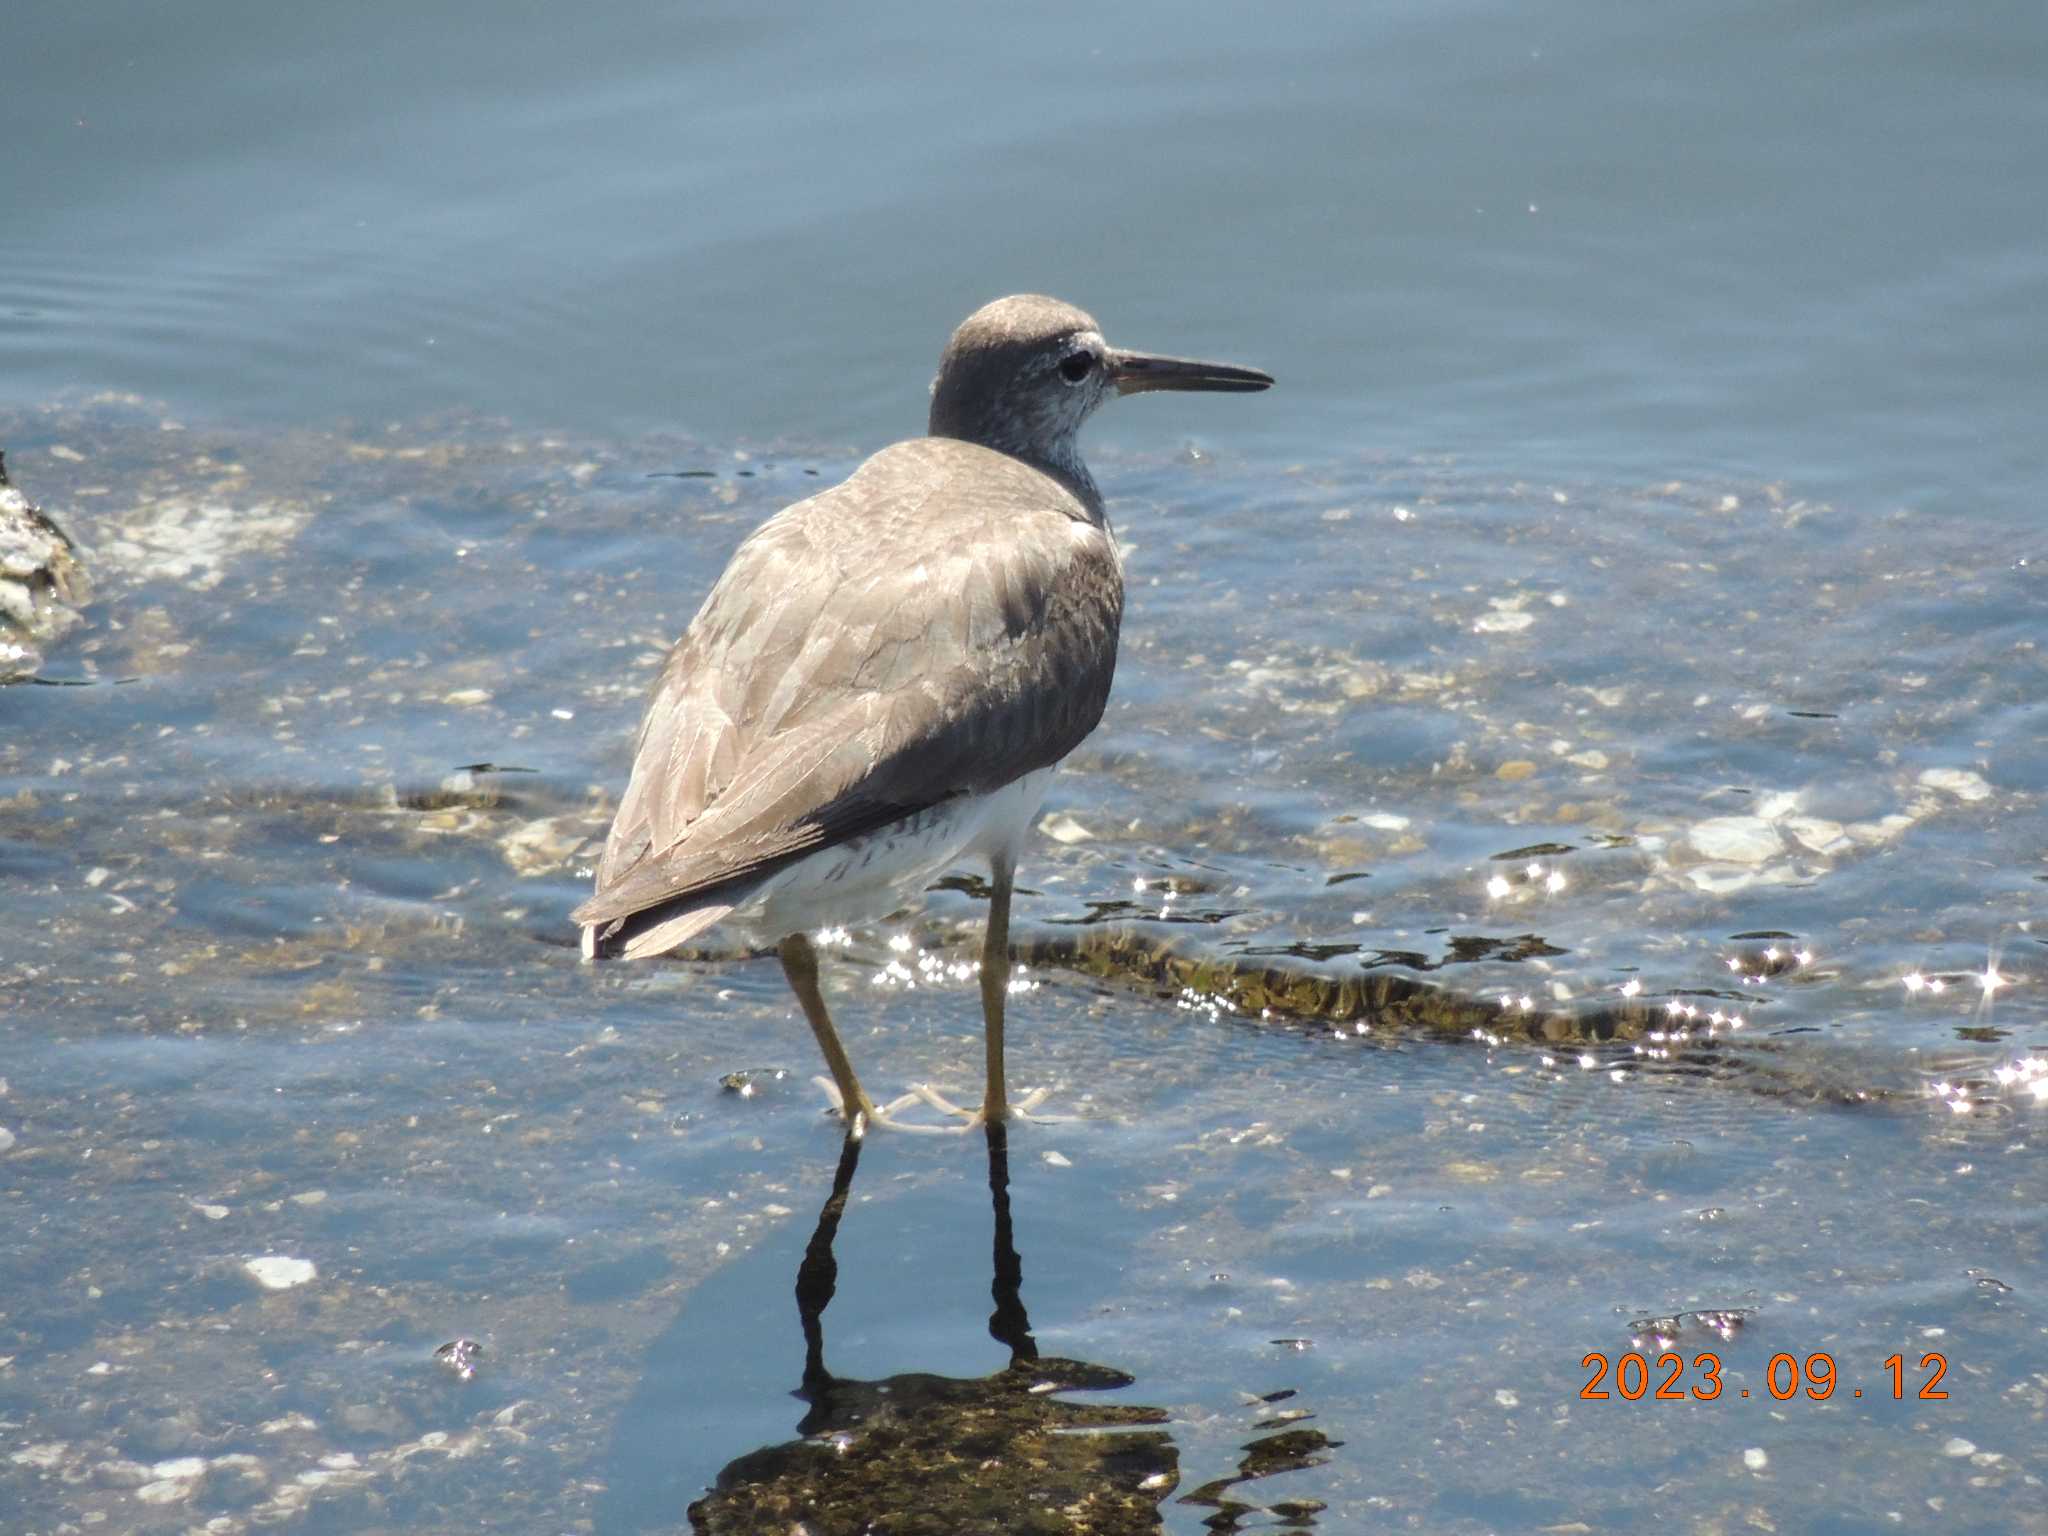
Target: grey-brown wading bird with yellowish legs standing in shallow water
x=886 y=677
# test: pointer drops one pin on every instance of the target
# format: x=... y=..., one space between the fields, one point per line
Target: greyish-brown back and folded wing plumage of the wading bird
x=941 y=624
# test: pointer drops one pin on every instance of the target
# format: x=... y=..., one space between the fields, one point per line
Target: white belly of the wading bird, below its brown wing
x=871 y=878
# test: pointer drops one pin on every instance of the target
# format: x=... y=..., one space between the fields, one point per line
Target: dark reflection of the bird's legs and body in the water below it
x=916 y=1453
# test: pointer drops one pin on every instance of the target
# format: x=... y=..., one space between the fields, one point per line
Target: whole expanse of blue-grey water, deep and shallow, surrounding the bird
x=1564 y=871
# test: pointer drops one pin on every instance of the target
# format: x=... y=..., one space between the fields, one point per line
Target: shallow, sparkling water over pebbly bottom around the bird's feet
x=298 y=984
